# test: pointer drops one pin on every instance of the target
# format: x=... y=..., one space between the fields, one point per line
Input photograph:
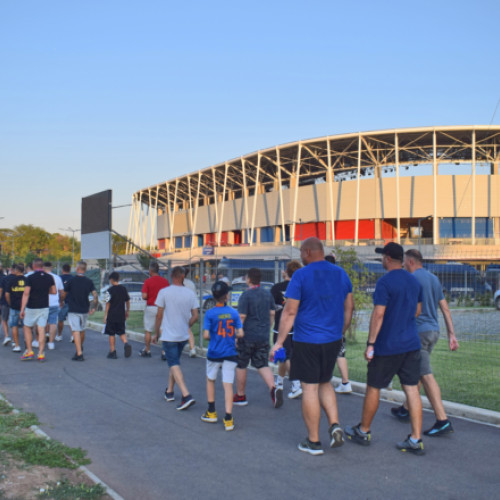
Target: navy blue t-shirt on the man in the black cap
x=400 y=293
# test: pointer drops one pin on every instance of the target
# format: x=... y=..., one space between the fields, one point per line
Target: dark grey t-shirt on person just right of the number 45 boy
x=256 y=304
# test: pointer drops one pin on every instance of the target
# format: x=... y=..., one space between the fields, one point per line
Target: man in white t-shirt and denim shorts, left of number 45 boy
x=177 y=313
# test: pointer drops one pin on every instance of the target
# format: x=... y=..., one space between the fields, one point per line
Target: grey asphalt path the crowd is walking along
x=143 y=448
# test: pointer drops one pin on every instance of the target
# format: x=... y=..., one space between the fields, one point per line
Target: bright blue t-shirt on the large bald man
x=322 y=289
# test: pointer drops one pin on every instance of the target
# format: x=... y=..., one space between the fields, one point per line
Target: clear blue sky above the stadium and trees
x=122 y=95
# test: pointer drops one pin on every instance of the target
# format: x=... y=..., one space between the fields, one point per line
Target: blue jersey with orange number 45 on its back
x=222 y=323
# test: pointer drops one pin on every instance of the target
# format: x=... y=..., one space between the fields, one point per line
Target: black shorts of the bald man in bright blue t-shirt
x=314 y=363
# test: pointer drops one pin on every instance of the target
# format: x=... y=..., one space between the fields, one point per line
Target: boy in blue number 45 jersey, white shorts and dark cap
x=221 y=326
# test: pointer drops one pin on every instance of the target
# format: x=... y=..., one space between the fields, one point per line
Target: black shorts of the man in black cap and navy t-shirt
x=381 y=369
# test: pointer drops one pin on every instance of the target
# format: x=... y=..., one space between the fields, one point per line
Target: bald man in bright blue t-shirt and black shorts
x=319 y=305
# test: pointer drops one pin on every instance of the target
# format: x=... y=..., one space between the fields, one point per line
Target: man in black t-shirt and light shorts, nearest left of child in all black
x=77 y=292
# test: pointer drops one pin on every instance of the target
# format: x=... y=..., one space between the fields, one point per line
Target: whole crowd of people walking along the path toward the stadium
x=309 y=313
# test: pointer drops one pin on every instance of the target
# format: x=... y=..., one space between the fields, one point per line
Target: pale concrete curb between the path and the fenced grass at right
x=452 y=409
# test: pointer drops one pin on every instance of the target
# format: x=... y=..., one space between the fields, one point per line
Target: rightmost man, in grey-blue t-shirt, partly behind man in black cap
x=428 y=331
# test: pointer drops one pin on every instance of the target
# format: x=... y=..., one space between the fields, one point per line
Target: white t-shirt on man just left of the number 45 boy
x=177 y=302
